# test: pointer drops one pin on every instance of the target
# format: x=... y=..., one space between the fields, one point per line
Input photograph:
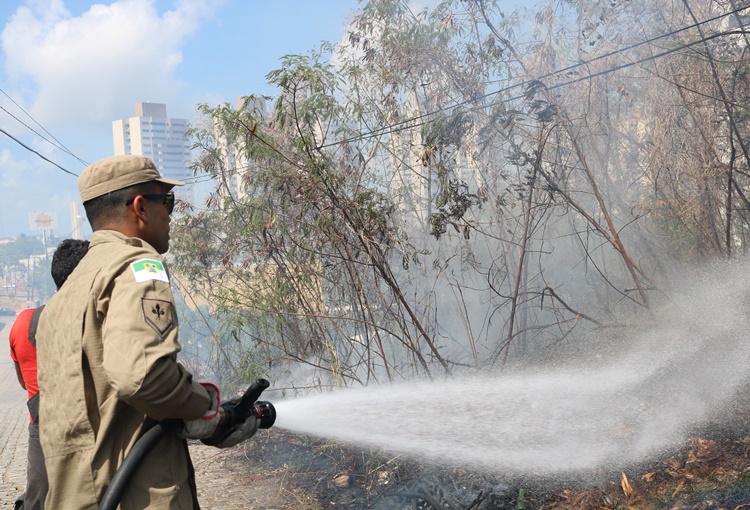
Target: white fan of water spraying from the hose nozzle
x=622 y=401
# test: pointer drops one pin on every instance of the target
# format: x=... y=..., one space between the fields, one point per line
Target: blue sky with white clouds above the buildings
x=68 y=68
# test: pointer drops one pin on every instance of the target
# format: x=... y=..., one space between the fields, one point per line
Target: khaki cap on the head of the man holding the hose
x=118 y=172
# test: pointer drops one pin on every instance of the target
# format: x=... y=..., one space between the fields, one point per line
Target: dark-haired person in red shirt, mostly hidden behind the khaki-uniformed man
x=22 y=340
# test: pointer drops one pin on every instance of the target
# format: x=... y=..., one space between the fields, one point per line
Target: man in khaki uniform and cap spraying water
x=107 y=346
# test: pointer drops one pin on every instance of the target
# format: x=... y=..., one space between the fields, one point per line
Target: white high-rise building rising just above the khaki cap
x=162 y=139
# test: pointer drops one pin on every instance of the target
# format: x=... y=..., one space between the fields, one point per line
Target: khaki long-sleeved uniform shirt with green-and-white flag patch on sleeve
x=107 y=346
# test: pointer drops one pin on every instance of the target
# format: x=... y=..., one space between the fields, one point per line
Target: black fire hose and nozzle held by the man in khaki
x=233 y=413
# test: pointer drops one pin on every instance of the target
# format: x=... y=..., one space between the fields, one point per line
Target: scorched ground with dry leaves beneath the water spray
x=283 y=471
